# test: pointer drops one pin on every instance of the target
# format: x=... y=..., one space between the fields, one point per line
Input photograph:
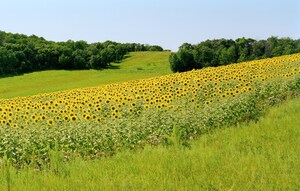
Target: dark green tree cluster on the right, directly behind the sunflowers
x=225 y=51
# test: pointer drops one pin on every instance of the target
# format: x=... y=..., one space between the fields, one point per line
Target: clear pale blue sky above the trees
x=168 y=23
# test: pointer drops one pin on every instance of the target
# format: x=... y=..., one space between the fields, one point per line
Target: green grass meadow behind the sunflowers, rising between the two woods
x=138 y=65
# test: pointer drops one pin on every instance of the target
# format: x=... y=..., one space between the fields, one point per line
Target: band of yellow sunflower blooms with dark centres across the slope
x=197 y=88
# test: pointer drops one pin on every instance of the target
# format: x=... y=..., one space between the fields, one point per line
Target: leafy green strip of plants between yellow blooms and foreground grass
x=89 y=140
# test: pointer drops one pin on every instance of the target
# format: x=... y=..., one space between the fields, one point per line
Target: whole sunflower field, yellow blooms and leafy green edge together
x=98 y=121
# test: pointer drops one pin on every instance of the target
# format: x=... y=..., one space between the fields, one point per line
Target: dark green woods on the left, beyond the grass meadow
x=20 y=53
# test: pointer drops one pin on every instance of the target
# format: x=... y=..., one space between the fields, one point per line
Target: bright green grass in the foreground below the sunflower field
x=258 y=156
